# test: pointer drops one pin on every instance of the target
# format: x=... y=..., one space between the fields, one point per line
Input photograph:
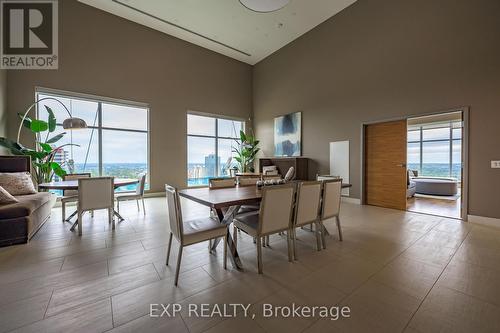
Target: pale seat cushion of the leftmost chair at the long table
x=202 y=229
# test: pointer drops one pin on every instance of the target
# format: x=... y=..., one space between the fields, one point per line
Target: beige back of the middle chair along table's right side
x=307 y=202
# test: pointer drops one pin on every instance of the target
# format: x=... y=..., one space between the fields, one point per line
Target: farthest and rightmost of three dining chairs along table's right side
x=330 y=205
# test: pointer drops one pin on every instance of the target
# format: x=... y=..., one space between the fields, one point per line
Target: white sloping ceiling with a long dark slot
x=225 y=26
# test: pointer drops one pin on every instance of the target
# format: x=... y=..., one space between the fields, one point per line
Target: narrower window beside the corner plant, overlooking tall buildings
x=210 y=143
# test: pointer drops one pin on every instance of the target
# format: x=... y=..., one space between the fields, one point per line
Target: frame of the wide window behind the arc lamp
x=55 y=93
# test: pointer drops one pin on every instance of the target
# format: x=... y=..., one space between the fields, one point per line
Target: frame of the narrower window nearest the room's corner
x=215 y=137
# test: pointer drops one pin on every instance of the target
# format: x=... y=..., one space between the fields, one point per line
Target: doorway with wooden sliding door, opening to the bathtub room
x=418 y=164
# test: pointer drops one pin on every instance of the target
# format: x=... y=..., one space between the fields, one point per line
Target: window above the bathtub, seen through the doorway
x=436 y=149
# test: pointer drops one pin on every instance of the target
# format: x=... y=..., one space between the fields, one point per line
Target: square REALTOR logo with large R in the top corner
x=29 y=33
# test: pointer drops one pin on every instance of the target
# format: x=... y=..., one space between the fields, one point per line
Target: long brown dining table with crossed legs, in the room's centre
x=226 y=202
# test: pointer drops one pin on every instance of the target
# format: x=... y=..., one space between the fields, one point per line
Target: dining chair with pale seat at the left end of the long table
x=190 y=232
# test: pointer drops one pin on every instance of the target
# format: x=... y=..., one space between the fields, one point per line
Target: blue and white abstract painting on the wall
x=287 y=134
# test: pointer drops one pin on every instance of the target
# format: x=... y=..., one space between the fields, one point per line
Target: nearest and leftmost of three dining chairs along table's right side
x=275 y=215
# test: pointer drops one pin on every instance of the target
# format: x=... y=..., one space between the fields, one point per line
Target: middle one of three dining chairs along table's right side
x=307 y=205
